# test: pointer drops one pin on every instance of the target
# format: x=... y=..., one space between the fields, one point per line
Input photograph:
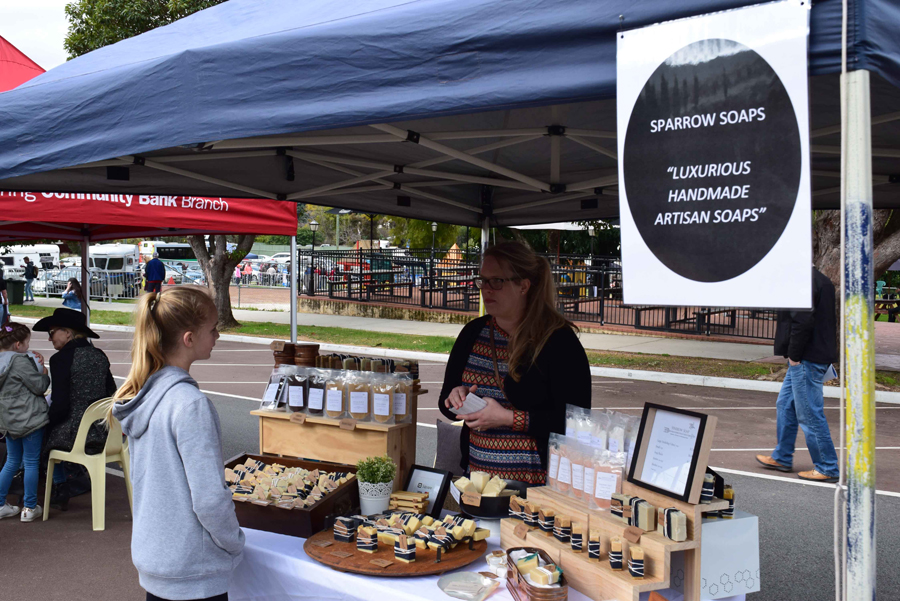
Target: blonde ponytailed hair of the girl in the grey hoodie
x=160 y=320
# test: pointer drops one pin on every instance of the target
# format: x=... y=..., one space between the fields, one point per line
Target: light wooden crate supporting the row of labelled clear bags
x=324 y=439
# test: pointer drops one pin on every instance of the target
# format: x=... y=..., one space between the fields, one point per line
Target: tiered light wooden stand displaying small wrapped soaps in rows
x=596 y=579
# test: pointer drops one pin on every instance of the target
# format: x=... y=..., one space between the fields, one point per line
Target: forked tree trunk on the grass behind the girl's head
x=218 y=264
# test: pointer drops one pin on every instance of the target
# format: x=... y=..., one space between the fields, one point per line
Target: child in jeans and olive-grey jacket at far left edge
x=23 y=416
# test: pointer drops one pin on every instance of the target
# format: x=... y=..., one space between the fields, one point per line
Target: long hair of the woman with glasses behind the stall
x=541 y=317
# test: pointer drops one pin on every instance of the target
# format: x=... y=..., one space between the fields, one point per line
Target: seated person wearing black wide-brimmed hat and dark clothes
x=80 y=374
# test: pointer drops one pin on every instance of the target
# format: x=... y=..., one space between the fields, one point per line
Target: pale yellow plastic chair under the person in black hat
x=114 y=452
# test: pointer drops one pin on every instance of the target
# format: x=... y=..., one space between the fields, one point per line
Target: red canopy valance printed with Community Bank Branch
x=69 y=216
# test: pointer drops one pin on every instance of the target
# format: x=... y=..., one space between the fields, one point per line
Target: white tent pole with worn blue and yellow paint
x=859 y=331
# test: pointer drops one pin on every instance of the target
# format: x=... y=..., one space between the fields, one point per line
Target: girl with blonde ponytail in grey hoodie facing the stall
x=185 y=539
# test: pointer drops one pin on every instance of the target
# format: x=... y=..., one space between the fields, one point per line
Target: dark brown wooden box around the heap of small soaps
x=301 y=522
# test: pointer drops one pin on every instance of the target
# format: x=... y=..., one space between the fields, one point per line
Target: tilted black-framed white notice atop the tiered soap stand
x=672 y=451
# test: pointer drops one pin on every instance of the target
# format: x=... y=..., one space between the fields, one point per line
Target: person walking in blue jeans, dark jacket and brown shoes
x=807 y=340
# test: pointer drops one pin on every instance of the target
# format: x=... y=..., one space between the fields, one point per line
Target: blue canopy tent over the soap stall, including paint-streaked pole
x=475 y=112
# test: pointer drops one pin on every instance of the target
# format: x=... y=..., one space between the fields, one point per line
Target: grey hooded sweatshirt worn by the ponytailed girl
x=185 y=538
